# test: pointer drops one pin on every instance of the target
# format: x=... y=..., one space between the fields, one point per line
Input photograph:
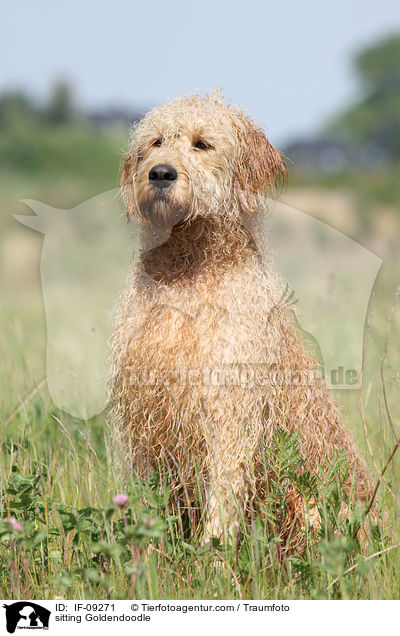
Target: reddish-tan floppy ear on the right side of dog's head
x=260 y=167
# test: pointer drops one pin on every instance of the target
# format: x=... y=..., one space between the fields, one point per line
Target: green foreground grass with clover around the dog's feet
x=70 y=540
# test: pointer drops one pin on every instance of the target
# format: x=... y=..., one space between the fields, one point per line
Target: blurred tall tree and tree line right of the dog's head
x=367 y=134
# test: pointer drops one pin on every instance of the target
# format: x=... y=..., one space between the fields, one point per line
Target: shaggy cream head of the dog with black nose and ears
x=197 y=157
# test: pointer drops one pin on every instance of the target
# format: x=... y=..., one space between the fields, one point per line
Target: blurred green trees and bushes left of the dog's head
x=55 y=137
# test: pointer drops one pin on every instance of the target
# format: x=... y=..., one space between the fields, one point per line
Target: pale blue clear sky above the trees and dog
x=288 y=63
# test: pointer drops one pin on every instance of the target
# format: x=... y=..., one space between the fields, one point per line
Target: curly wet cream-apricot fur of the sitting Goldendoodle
x=204 y=310
